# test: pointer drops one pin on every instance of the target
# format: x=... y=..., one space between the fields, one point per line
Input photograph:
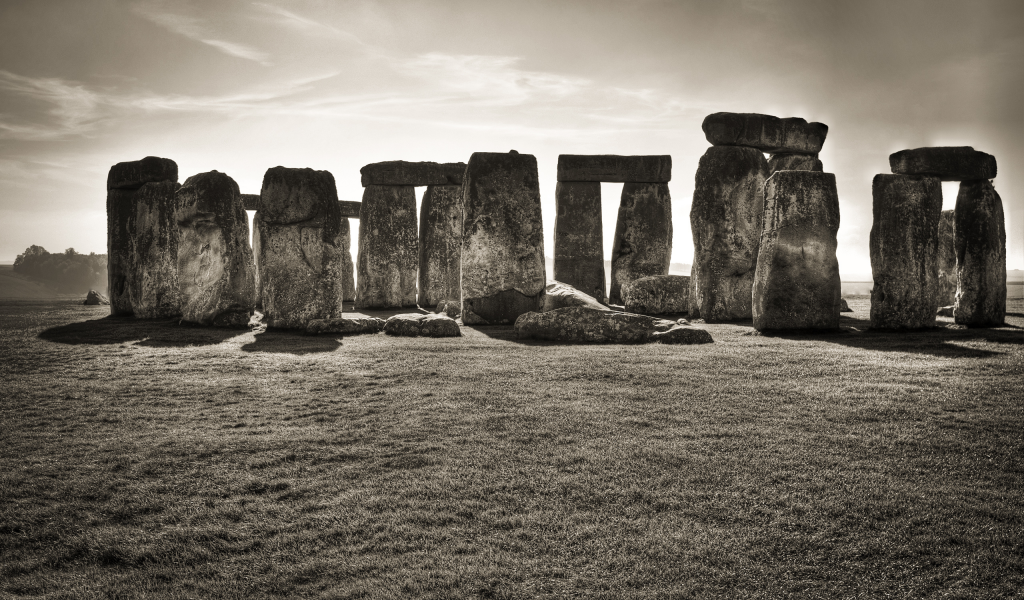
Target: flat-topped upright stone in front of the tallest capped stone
x=797 y=284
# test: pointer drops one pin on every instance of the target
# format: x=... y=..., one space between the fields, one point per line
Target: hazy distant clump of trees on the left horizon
x=70 y=272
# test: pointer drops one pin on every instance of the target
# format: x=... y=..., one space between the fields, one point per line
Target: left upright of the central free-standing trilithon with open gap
x=580 y=238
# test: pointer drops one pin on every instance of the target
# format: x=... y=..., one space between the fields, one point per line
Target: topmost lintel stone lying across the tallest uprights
x=767 y=134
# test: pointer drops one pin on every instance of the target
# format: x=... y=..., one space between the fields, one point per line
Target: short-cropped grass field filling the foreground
x=152 y=460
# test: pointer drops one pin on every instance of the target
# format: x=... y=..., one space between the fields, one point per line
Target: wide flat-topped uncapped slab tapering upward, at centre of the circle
x=503 y=272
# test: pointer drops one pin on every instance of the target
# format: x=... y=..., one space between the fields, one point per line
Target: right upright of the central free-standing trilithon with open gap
x=643 y=245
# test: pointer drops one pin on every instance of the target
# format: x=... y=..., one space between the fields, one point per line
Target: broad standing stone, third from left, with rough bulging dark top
x=300 y=243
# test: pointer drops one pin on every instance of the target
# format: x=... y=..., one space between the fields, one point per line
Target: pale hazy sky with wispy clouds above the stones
x=242 y=87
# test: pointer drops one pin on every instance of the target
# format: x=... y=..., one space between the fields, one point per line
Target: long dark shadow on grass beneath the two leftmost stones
x=148 y=332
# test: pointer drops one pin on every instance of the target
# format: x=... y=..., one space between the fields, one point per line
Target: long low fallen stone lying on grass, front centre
x=584 y=325
